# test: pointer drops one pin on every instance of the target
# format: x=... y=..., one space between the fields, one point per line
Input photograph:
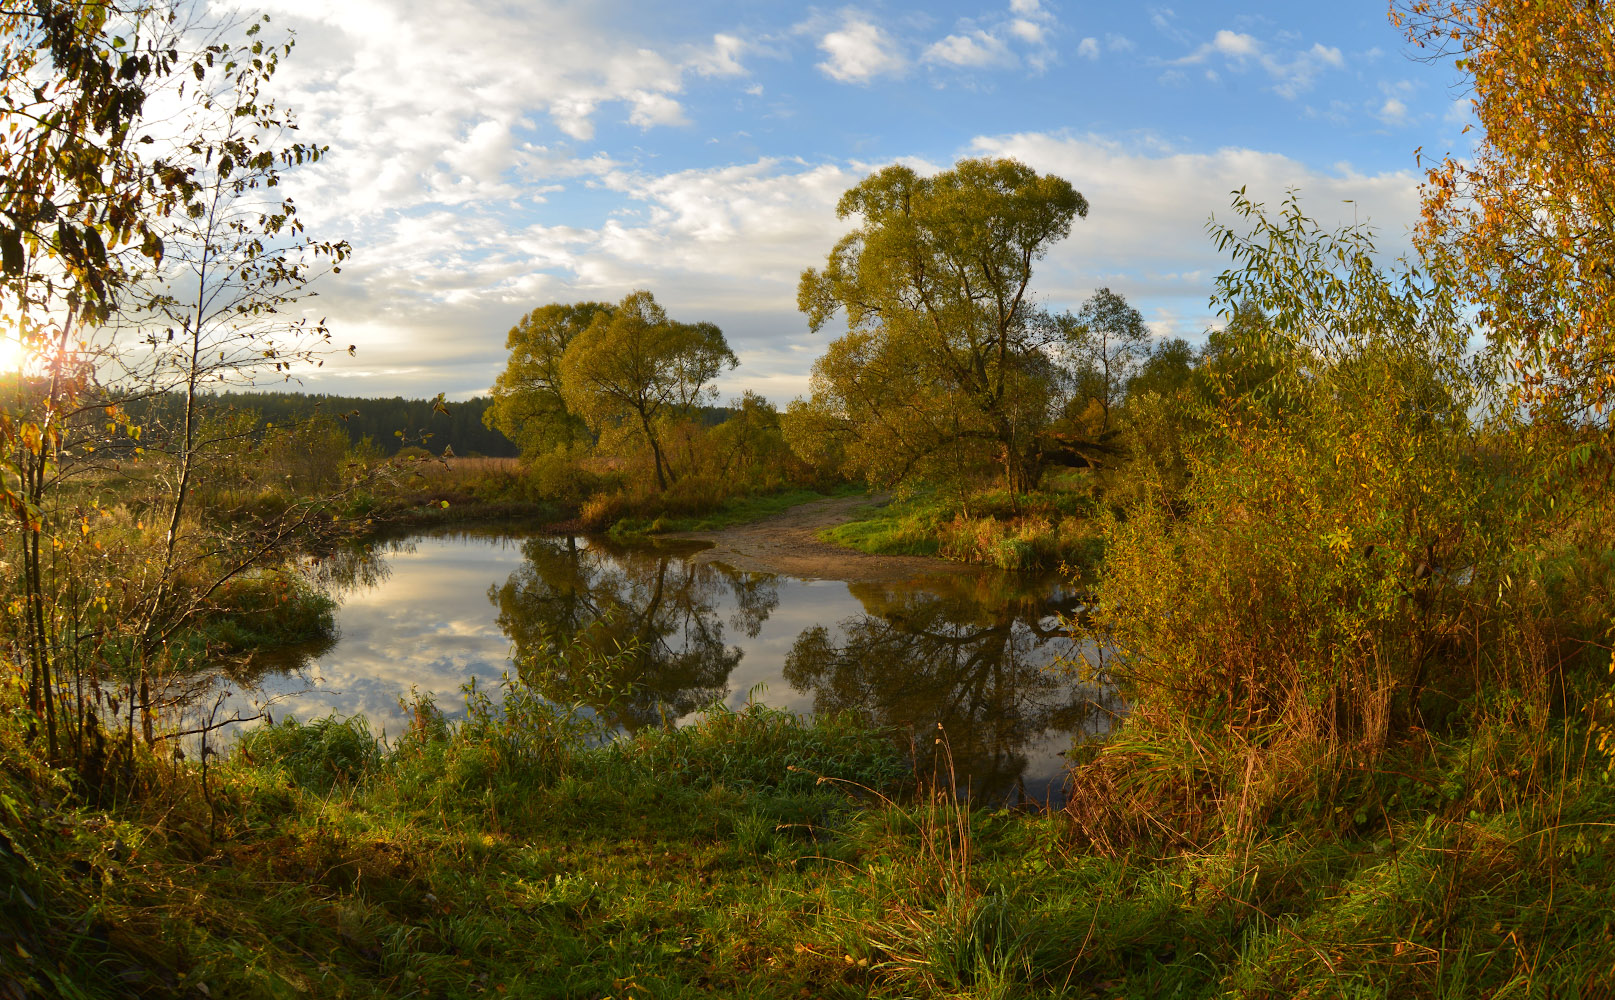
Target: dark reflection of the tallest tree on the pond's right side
x=971 y=660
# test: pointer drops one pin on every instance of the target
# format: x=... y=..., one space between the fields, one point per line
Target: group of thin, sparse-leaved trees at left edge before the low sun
x=125 y=217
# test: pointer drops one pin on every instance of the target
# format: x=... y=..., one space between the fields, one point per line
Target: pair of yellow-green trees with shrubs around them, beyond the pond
x=613 y=411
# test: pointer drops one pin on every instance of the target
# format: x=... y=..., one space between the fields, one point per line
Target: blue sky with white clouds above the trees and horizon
x=490 y=158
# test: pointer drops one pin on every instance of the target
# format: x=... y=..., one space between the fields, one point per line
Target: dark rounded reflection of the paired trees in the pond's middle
x=648 y=602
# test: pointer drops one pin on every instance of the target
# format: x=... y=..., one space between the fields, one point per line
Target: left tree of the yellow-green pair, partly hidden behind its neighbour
x=529 y=406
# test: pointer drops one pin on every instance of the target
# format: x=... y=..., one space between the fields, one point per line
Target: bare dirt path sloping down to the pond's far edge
x=787 y=544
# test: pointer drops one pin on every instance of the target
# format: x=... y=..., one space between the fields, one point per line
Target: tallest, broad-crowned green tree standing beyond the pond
x=949 y=369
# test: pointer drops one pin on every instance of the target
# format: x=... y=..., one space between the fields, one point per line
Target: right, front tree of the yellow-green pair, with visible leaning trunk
x=637 y=366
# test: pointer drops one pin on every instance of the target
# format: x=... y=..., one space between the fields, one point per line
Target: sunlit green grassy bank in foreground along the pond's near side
x=521 y=859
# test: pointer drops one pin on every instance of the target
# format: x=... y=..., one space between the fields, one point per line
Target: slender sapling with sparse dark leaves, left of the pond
x=217 y=314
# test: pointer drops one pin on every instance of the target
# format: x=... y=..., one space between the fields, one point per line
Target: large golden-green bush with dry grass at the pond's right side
x=1351 y=561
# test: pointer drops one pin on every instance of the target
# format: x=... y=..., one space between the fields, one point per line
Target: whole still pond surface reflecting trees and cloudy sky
x=978 y=652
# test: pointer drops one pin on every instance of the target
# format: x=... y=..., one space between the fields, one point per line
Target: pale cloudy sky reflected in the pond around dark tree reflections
x=429 y=624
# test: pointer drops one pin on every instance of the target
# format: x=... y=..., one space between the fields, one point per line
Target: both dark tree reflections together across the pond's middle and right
x=970 y=650
